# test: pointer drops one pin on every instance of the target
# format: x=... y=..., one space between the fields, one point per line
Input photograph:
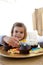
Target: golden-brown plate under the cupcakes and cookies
x=6 y=54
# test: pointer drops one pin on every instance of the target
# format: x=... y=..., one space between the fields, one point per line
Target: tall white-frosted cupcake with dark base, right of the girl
x=32 y=39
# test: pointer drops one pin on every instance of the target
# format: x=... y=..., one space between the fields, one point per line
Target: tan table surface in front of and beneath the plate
x=38 y=60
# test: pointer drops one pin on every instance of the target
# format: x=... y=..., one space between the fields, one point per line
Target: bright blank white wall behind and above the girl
x=17 y=10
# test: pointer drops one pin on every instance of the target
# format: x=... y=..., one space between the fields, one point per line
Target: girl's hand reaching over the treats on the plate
x=11 y=41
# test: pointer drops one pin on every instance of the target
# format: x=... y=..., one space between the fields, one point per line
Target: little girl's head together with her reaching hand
x=18 y=33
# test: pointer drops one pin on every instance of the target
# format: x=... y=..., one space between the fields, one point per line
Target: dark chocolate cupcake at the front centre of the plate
x=24 y=48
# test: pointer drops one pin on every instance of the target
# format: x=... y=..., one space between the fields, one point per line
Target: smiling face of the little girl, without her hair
x=18 y=32
